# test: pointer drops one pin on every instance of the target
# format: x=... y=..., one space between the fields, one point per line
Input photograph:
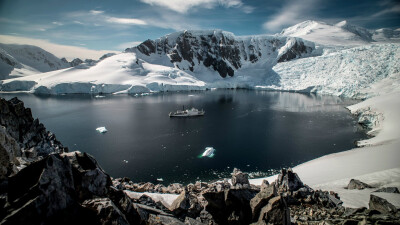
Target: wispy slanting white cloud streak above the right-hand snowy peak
x=293 y=12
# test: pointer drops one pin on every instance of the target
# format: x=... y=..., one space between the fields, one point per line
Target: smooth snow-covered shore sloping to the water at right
x=375 y=162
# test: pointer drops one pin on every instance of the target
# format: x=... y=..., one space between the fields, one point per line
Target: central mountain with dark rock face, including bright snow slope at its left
x=180 y=61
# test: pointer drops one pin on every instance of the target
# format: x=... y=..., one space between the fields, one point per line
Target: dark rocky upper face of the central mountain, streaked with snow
x=222 y=51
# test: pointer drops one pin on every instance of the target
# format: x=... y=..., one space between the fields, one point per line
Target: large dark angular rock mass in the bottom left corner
x=57 y=183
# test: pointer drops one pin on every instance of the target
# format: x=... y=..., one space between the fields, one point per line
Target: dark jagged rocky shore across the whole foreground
x=42 y=183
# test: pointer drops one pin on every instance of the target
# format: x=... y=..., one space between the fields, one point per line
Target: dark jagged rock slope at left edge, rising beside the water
x=22 y=137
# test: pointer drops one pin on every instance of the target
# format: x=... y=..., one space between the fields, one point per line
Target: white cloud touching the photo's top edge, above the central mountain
x=183 y=6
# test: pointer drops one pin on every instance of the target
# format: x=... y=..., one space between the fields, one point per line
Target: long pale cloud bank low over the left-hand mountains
x=69 y=52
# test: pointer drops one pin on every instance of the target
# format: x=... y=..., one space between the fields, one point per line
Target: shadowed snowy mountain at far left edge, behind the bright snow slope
x=22 y=60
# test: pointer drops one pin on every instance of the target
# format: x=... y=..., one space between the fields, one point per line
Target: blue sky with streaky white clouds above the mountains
x=91 y=28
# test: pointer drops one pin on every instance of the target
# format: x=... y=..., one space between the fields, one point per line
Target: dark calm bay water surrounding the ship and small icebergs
x=253 y=130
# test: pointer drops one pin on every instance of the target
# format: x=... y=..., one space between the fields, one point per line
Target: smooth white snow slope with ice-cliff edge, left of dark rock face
x=116 y=74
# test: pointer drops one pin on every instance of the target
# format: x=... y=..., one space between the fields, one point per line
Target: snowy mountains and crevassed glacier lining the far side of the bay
x=310 y=56
